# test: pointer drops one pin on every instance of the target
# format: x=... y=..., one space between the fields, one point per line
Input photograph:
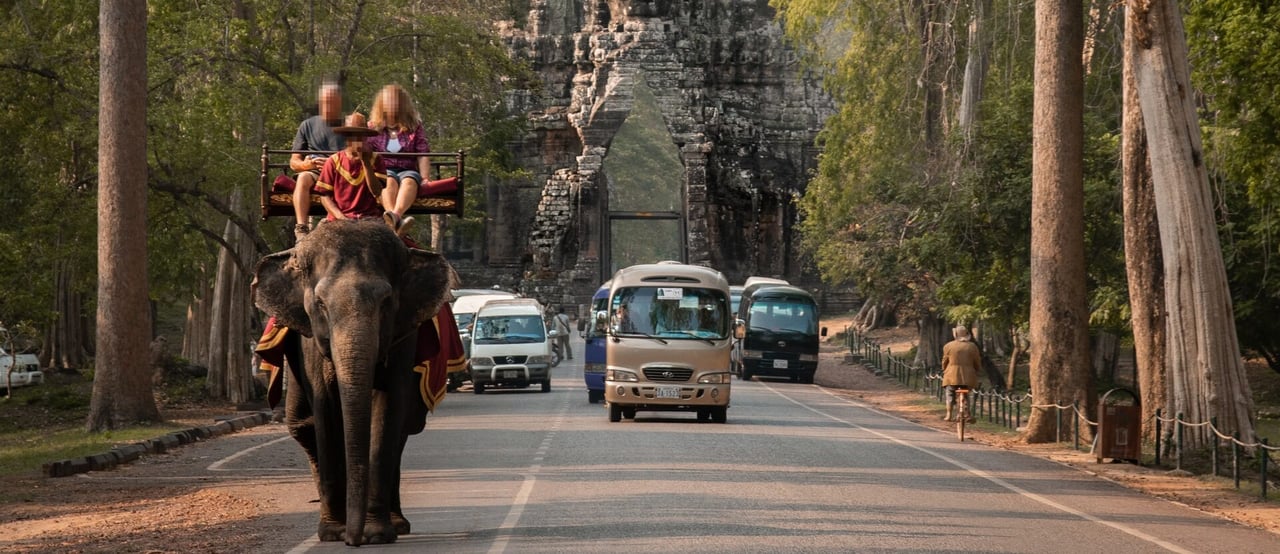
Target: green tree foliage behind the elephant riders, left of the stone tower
x=223 y=80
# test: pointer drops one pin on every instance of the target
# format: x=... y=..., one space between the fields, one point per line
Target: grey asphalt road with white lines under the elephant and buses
x=796 y=469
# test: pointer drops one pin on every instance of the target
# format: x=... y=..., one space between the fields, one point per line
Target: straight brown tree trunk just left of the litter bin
x=1059 y=314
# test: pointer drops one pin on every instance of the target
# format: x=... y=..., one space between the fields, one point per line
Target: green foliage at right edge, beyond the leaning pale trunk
x=1235 y=65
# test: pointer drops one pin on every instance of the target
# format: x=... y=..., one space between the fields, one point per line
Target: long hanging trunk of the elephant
x=355 y=370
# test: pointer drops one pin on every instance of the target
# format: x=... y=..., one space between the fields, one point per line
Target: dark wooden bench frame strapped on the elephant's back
x=444 y=166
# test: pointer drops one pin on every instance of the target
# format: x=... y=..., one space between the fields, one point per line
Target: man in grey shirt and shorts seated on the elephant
x=316 y=134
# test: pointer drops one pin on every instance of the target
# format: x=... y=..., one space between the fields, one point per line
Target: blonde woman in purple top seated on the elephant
x=400 y=131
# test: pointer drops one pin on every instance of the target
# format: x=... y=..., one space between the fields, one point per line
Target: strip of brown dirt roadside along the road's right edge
x=1210 y=496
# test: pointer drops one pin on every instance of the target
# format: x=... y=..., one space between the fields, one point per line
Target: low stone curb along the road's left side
x=132 y=452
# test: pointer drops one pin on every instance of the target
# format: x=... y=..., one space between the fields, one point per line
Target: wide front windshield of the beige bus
x=670 y=313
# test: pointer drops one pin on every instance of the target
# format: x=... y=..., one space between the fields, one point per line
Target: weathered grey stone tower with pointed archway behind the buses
x=735 y=106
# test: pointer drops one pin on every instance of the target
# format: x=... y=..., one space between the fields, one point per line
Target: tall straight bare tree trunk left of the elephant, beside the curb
x=122 y=381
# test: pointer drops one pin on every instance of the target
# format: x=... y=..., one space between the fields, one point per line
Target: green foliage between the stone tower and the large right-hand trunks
x=944 y=230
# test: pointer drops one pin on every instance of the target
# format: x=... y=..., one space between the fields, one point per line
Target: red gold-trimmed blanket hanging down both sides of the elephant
x=440 y=352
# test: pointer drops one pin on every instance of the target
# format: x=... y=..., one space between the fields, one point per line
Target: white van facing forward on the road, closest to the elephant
x=511 y=346
